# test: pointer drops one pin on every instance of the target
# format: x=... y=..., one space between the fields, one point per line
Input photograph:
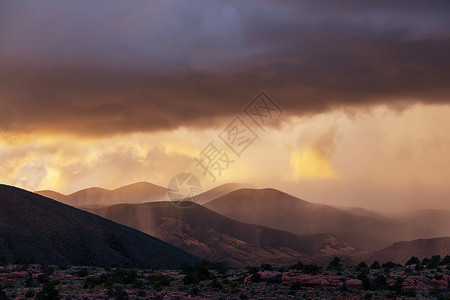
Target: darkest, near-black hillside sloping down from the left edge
x=36 y=228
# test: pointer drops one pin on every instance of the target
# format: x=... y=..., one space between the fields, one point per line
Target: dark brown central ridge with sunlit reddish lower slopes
x=217 y=238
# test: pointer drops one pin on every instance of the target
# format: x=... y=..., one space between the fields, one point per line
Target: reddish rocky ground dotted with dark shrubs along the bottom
x=214 y=281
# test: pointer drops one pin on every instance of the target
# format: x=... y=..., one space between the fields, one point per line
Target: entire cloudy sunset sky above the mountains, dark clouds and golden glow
x=354 y=97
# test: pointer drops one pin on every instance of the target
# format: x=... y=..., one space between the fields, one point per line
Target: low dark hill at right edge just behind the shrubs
x=401 y=252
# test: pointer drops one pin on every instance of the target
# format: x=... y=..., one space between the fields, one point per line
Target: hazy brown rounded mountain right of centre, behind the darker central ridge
x=275 y=209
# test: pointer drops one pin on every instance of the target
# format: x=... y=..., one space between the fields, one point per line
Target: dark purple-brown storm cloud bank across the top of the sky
x=114 y=67
